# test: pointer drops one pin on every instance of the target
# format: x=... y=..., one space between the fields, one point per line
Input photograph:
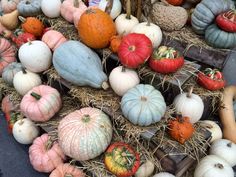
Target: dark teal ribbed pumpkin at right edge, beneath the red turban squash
x=218 y=38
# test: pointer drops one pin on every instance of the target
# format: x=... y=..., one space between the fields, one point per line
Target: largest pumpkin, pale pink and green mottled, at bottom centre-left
x=84 y=134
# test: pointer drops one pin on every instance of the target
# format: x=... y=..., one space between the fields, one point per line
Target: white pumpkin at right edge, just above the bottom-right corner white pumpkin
x=225 y=149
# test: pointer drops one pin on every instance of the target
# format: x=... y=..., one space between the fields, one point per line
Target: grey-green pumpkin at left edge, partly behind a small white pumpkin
x=9 y=72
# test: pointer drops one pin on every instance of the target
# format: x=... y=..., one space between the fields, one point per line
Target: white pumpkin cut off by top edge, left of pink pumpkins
x=51 y=8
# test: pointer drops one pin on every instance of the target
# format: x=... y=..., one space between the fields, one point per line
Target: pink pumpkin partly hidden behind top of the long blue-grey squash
x=53 y=39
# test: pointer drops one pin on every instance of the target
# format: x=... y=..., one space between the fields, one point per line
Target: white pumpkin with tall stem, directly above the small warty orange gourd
x=189 y=105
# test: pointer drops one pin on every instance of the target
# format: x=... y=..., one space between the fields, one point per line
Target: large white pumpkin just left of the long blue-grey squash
x=35 y=56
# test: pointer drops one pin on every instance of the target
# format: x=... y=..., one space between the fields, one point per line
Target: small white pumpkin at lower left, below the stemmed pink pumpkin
x=25 y=131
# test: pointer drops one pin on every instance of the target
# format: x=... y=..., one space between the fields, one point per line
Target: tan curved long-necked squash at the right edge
x=226 y=113
